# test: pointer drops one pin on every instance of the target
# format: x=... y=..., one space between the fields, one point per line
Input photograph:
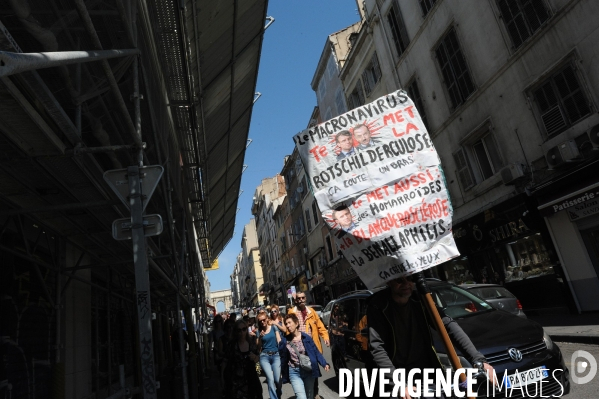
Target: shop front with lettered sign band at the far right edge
x=571 y=212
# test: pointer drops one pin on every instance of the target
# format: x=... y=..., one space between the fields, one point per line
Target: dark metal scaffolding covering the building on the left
x=72 y=106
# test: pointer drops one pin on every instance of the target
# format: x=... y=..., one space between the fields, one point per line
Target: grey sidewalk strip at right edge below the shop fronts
x=579 y=328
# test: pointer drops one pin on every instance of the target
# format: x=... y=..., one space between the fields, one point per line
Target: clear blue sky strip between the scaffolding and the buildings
x=290 y=52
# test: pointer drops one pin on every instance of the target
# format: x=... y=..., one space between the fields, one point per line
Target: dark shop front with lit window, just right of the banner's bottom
x=510 y=245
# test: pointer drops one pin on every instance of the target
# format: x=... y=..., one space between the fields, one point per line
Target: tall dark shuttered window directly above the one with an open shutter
x=454 y=69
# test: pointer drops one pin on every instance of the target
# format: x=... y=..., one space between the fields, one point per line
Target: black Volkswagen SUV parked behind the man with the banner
x=508 y=342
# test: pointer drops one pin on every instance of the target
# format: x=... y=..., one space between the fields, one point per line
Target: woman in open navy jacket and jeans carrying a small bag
x=295 y=348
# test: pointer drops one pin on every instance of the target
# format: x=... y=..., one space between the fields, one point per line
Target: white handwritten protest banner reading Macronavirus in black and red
x=377 y=180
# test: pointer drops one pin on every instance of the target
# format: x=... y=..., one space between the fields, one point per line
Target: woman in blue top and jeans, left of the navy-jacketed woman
x=270 y=361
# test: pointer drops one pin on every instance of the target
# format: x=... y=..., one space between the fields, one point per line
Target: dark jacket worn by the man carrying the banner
x=382 y=335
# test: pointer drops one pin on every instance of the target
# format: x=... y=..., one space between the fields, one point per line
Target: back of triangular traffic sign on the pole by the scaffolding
x=118 y=180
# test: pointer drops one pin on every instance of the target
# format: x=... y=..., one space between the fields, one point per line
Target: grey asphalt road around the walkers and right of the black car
x=328 y=384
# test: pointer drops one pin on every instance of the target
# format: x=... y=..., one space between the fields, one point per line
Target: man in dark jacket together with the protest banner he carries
x=394 y=186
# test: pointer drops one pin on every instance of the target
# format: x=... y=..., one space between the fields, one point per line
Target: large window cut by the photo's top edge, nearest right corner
x=522 y=18
